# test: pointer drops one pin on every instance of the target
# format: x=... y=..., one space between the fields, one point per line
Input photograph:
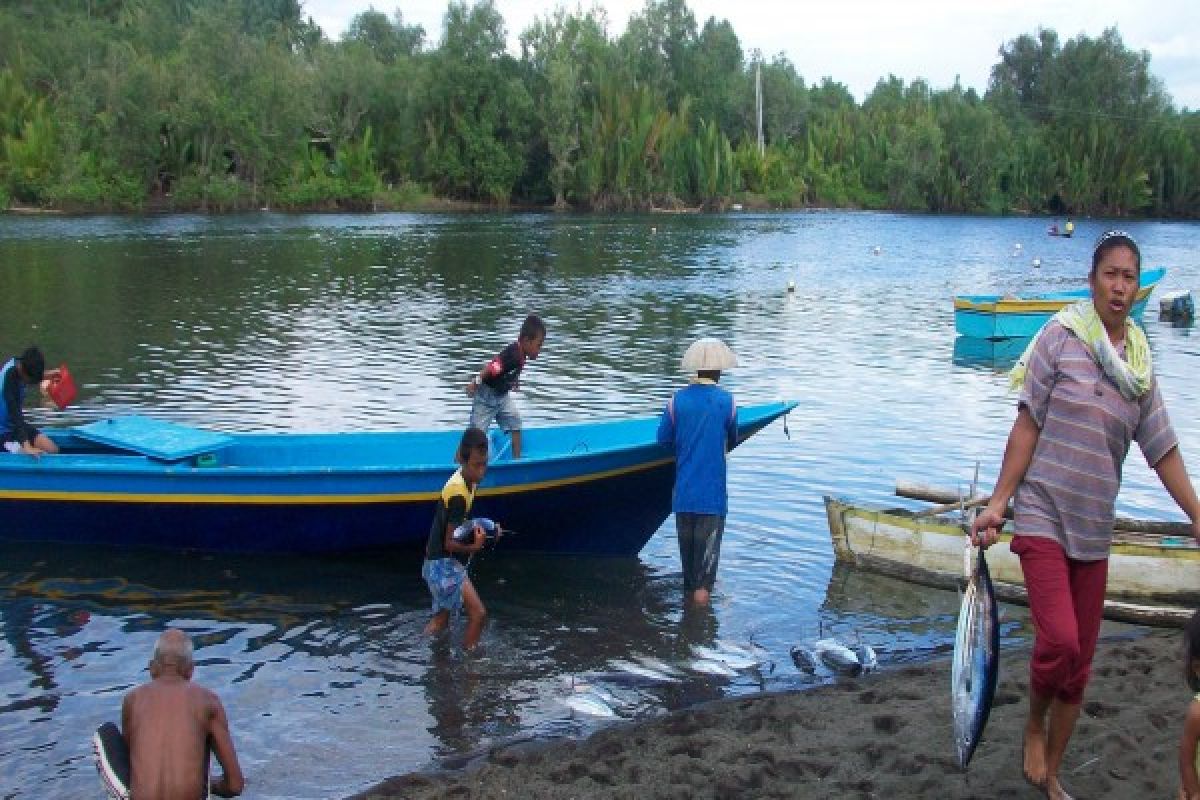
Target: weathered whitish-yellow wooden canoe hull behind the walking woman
x=1154 y=579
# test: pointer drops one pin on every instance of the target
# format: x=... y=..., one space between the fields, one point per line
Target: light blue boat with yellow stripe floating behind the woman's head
x=1000 y=317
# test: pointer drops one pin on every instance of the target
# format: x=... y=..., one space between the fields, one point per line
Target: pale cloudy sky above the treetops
x=857 y=43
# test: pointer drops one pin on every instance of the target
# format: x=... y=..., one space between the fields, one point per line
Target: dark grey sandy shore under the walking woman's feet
x=881 y=736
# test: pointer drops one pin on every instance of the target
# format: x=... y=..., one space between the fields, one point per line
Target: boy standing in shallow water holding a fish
x=446 y=558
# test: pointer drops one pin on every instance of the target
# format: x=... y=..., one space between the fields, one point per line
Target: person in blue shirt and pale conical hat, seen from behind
x=700 y=424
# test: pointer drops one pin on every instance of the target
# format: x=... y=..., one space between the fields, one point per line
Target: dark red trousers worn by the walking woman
x=1067 y=604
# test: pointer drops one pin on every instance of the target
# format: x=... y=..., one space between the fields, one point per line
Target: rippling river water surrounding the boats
x=376 y=322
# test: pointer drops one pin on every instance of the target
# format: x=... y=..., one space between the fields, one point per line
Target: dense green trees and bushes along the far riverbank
x=241 y=104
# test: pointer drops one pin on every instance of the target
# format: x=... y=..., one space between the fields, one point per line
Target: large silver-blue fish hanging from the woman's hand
x=976 y=659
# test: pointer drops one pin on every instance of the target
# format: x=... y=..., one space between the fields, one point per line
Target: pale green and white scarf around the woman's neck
x=1135 y=375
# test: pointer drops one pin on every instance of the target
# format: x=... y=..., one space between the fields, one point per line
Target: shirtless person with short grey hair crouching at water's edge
x=172 y=725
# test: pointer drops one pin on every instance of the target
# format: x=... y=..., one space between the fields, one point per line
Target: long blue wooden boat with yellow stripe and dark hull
x=592 y=489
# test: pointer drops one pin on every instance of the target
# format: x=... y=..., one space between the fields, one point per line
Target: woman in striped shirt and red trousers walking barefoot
x=1088 y=389
